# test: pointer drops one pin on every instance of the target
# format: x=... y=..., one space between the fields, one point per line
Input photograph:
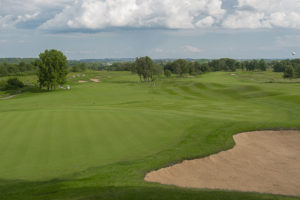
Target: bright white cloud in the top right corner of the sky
x=265 y=14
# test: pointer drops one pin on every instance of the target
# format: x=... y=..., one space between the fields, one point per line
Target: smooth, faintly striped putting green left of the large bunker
x=64 y=142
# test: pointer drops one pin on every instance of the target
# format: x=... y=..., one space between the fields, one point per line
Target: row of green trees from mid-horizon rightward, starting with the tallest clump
x=147 y=69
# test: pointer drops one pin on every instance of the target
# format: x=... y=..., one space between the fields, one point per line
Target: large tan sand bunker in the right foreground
x=262 y=161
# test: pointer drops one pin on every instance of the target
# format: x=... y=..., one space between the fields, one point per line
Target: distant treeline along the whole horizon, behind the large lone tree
x=290 y=68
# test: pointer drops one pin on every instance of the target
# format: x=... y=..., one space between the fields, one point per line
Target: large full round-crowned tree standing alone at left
x=52 y=69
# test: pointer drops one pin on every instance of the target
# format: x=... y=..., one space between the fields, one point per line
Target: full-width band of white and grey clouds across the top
x=96 y=15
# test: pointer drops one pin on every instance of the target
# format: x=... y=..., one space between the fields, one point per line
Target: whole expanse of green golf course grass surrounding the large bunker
x=98 y=140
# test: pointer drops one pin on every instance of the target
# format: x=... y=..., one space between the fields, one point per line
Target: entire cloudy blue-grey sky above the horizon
x=83 y=29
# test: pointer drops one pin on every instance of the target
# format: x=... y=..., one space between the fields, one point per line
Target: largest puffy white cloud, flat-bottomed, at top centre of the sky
x=97 y=14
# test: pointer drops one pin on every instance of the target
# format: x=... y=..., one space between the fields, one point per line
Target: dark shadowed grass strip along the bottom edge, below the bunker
x=56 y=189
